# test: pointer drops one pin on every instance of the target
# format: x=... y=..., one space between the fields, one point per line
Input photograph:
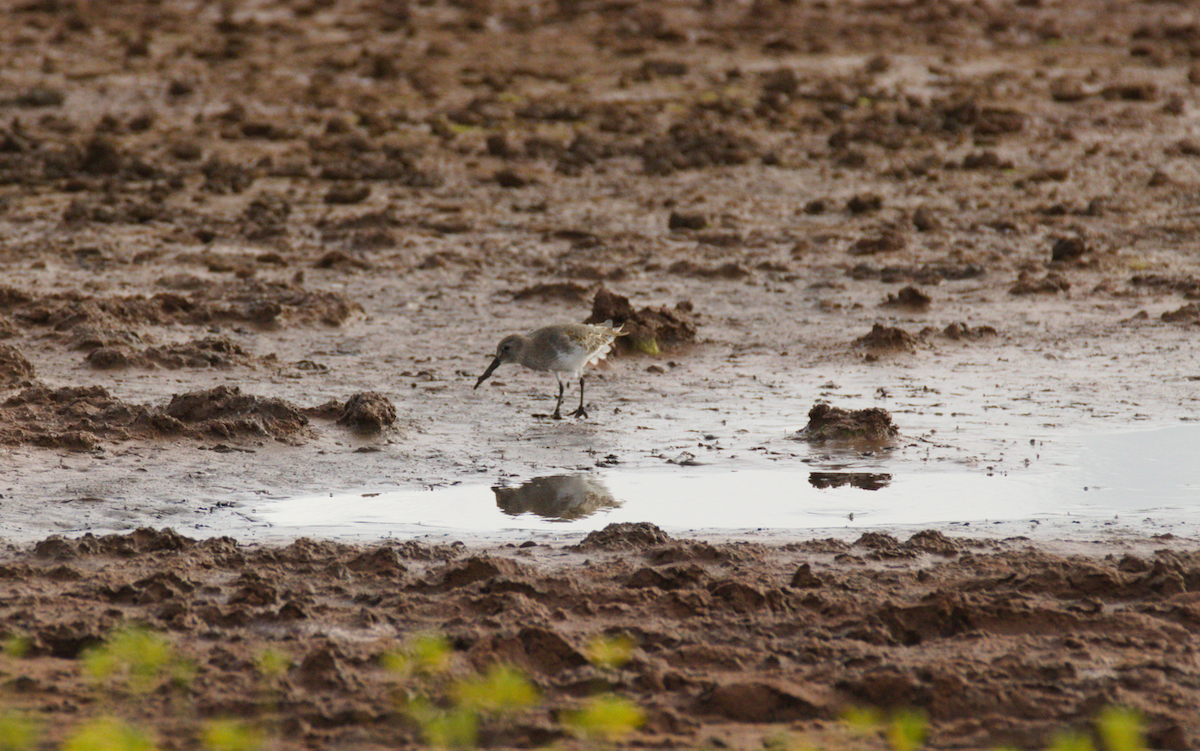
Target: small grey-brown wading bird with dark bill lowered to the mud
x=563 y=350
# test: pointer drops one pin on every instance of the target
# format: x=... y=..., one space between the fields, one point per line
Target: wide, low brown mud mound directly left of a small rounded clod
x=225 y=412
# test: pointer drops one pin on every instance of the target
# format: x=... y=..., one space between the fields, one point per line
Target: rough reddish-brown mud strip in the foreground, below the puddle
x=731 y=645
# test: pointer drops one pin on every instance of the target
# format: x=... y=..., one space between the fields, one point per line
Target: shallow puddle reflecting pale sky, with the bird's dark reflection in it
x=1129 y=476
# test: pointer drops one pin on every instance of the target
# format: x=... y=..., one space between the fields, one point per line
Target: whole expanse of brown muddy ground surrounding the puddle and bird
x=259 y=250
